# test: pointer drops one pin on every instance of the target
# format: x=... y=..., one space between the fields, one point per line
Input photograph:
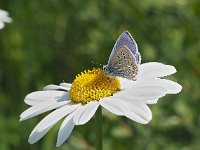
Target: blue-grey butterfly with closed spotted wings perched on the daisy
x=124 y=58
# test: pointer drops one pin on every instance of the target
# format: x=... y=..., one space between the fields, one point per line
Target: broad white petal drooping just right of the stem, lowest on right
x=137 y=111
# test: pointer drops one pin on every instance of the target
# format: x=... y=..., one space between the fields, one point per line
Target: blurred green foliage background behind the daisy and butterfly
x=51 y=41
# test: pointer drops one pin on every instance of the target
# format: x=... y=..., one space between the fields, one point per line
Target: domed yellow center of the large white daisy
x=93 y=85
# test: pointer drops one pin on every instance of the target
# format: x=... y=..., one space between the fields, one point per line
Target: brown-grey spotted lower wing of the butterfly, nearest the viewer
x=123 y=63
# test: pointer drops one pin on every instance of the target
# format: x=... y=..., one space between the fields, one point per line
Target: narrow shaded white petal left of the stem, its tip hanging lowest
x=65 y=130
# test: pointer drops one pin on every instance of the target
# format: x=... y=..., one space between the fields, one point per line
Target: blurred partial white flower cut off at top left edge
x=4 y=18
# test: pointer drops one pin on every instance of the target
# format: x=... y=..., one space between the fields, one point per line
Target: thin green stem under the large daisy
x=98 y=122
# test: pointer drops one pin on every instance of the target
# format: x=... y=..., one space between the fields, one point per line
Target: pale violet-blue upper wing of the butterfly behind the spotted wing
x=126 y=39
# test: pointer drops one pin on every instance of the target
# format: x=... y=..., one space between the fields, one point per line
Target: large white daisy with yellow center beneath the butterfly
x=78 y=102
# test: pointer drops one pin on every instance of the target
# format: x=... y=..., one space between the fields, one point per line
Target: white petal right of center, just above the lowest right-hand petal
x=141 y=93
